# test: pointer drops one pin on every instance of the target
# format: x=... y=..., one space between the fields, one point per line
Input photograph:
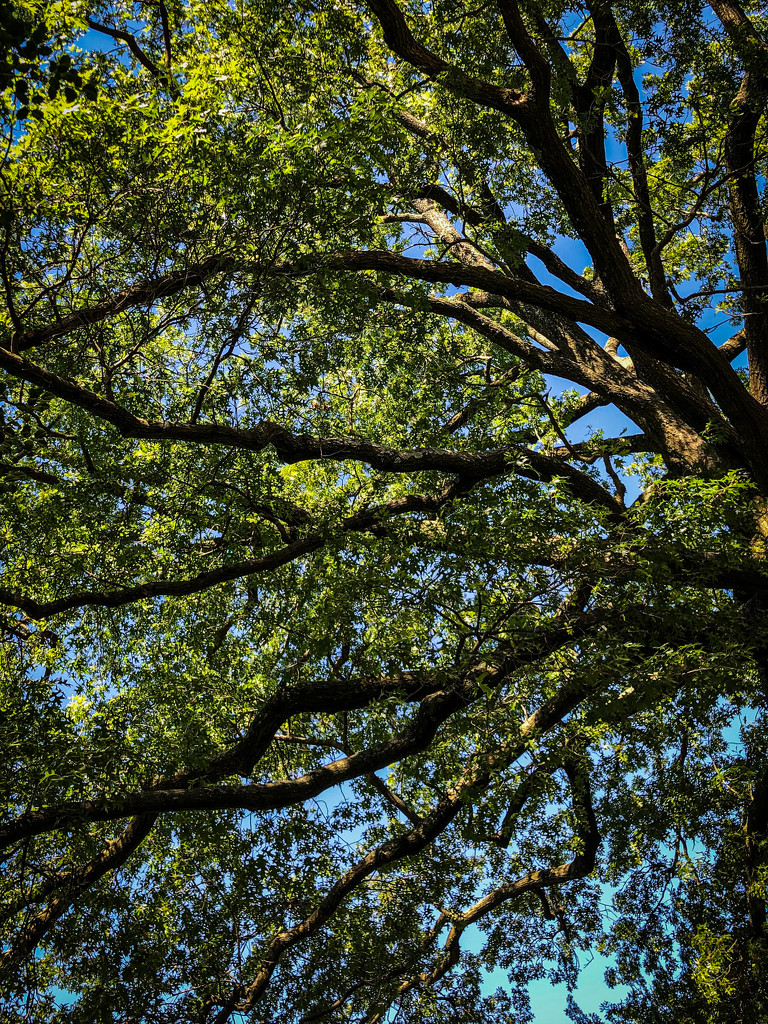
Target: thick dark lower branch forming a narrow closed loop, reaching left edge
x=186 y=790
